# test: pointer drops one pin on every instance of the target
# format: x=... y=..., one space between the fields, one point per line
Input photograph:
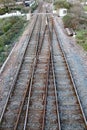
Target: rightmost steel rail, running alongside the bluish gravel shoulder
x=70 y=75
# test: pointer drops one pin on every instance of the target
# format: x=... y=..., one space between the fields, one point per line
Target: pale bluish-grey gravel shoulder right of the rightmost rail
x=77 y=59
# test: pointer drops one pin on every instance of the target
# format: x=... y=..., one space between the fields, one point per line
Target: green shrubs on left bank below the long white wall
x=11 y=31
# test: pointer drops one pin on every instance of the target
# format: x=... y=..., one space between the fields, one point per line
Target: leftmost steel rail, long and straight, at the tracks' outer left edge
x=16 y=76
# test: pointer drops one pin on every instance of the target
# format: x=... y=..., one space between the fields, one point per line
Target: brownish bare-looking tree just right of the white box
x=73 y=19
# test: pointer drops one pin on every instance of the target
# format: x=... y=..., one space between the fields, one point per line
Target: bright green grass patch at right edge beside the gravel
x=82 y=38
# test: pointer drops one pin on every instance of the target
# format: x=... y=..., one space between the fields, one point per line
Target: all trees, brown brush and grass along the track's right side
x=75 y=19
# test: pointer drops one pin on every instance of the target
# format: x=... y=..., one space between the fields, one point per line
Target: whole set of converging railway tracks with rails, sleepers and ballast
x=43 y=95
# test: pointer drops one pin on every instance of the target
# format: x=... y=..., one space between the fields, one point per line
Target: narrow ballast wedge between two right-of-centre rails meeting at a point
x=52 y=115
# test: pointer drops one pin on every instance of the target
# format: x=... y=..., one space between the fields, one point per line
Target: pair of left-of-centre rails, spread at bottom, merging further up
x=22 y=118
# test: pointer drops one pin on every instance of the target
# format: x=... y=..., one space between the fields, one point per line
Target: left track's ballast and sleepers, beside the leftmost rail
x=19 y=88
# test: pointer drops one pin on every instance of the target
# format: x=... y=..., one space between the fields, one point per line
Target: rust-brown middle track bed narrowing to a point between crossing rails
x=33 y=111
